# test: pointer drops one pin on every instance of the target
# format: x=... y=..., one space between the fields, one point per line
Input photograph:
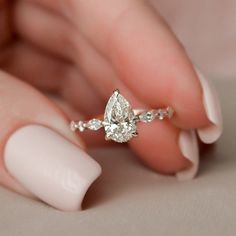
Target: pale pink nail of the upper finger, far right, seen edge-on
x=213 y=111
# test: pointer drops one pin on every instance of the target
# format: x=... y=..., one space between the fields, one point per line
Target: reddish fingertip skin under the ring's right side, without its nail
x=157 y=146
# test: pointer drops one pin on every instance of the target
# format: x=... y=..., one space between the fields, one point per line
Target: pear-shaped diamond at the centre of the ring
x=119 y=119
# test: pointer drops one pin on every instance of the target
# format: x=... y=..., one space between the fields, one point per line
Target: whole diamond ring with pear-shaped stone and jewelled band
x=120 y=120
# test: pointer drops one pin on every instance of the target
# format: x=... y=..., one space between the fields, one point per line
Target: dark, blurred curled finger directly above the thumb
x=51 y=75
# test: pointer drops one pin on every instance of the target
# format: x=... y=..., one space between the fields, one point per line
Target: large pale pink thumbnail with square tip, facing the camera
x=50 y=167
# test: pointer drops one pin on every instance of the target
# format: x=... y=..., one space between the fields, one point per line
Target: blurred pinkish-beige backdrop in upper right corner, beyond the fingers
x=207 y=28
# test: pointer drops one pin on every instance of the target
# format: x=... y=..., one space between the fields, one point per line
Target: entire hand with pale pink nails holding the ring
x=80 y=51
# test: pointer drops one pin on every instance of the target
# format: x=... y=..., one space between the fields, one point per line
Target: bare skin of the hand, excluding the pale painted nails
x=74 y=49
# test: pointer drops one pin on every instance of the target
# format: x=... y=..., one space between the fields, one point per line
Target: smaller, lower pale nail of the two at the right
x=189 y=148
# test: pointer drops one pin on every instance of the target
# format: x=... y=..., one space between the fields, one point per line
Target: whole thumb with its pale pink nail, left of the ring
x=40 y=156
